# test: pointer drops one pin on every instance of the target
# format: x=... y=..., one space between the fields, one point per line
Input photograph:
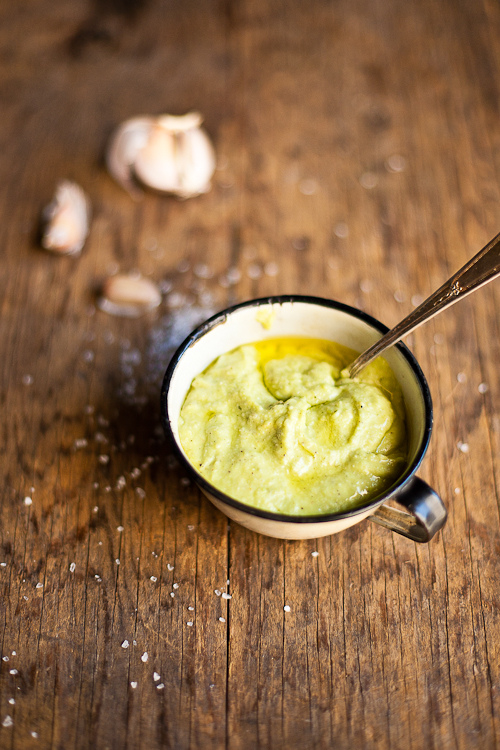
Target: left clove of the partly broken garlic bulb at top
x=126 y=142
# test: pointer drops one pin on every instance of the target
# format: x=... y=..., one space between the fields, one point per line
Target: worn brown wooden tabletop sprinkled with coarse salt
x=358 y=153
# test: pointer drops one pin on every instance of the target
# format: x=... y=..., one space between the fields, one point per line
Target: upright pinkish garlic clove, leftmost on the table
x=67 y=220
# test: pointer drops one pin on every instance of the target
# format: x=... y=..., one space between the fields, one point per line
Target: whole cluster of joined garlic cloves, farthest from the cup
x=167 y=153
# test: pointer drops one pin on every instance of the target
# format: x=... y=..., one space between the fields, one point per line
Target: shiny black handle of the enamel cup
x=427 y=513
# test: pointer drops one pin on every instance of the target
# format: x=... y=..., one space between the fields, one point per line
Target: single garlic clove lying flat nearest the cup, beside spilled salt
x=129 y=296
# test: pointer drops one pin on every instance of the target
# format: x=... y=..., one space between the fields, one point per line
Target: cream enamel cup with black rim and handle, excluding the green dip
x=324 y=319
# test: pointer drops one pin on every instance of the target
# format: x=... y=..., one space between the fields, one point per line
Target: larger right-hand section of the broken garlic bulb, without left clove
x=178 y=158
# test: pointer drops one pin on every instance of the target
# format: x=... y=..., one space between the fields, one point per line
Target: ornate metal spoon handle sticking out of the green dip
x=482 y=268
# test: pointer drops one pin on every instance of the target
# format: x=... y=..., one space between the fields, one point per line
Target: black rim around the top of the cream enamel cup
x=220 y=318
